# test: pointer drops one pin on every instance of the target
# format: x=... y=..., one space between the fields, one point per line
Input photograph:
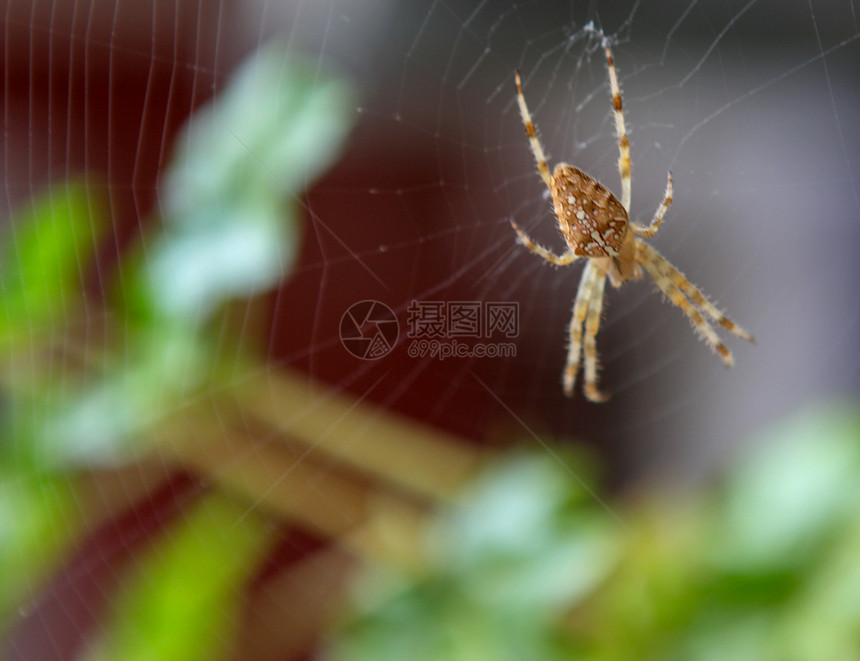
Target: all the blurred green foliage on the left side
x=231 y=208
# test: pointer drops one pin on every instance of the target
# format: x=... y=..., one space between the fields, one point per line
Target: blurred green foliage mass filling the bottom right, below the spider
x=765 y=566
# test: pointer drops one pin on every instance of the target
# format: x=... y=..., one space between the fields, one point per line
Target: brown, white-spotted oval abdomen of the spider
x=592 y=220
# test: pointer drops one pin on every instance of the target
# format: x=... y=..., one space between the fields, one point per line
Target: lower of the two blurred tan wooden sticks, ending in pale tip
x=358 y=513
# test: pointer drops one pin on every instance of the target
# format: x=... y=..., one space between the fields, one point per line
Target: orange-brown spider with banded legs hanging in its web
x=596 y=226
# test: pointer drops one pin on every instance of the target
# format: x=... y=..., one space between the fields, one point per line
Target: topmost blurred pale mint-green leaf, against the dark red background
x=270 y=132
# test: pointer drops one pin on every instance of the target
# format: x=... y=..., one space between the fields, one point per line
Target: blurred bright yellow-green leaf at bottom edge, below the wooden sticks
x=181 y=601
